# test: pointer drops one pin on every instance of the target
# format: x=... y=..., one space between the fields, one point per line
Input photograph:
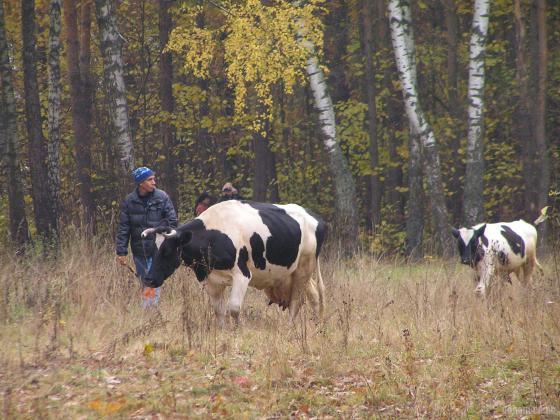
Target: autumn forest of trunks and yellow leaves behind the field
x=206 y=92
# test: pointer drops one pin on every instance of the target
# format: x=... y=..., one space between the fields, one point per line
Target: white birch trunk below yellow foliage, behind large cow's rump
x=345 y=188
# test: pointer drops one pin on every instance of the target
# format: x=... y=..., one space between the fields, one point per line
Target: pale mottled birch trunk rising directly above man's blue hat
x=111 y=49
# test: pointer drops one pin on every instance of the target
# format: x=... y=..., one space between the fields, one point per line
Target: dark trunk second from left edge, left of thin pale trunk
x=37 y=144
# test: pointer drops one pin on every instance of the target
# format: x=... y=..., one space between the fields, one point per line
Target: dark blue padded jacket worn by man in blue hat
x=136 y=215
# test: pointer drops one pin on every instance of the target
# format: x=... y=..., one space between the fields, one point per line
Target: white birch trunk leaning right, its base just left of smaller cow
x=403 y=45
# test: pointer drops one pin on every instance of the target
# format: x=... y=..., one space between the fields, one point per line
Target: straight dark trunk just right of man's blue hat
x=166 y=99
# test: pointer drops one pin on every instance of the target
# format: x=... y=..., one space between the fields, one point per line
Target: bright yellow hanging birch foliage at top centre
x=260 y=46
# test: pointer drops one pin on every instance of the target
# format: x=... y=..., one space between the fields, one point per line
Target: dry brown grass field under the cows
x=398 y=340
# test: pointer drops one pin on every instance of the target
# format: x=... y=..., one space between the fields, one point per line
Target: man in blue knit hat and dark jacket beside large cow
x=143 y=208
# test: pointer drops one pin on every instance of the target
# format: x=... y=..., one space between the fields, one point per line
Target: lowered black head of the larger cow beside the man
x=167 y=258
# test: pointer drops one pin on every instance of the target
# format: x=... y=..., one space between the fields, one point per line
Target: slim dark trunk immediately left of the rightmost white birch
x=455 y=111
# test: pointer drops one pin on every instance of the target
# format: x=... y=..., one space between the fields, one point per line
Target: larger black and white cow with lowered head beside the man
x=271 y=247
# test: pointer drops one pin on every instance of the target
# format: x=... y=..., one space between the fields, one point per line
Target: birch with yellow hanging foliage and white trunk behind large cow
x=268 y=46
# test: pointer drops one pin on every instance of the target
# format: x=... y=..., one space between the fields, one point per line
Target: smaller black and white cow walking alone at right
x=498 y=249
